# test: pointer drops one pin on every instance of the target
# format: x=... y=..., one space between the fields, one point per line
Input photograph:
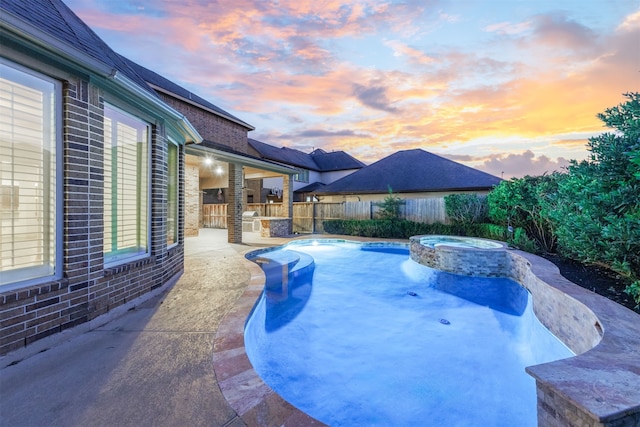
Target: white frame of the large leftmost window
x=16 y=277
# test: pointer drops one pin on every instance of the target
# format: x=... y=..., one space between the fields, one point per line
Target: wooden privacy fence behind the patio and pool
x=308 y=216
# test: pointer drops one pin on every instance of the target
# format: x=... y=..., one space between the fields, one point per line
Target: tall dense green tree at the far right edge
x=598 y=220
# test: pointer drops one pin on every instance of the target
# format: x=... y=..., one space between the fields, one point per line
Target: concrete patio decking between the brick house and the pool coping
x=150 y=366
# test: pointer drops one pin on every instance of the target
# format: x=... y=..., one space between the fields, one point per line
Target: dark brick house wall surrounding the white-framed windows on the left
x=86 y=289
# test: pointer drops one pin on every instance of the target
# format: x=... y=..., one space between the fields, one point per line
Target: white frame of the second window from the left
x=114 y=259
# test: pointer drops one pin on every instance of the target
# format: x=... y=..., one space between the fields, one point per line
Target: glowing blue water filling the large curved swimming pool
x=359 y=336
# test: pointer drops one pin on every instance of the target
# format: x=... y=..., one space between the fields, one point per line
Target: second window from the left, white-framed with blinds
x=126 y=186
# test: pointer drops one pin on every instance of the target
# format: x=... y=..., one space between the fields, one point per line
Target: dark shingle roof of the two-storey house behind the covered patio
x=319 y=160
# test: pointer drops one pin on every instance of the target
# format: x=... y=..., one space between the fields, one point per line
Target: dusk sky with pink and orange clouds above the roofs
x=509 y=87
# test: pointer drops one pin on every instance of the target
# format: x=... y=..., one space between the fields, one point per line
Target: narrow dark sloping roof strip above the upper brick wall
x=165 y=85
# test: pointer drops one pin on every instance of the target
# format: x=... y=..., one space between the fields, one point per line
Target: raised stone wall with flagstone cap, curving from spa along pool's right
x=600 y=386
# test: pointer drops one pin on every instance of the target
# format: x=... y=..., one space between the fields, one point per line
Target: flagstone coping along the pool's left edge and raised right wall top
x=610 y=371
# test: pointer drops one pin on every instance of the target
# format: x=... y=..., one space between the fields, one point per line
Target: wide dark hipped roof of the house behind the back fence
x=412 y=171
